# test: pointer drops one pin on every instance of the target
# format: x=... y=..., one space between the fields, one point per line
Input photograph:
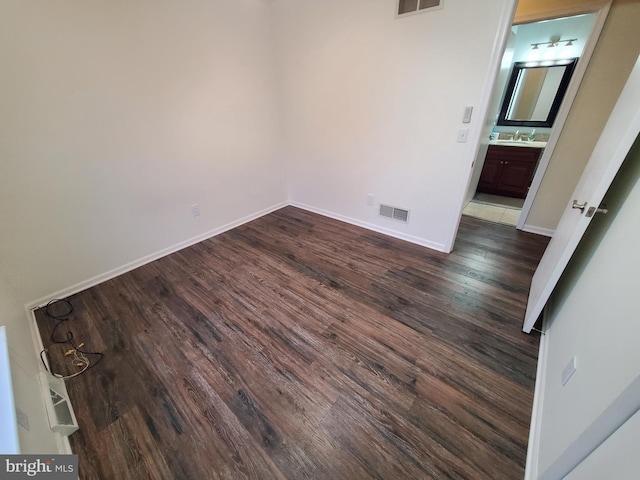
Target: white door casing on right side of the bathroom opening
x=565 y=108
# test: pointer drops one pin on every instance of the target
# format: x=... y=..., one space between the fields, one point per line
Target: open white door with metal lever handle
x=616 y=140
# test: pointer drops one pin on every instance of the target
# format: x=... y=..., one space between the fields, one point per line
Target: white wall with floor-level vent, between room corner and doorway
x=373 y=105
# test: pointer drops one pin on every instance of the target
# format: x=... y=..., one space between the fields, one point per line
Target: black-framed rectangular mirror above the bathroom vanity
x=535 y=92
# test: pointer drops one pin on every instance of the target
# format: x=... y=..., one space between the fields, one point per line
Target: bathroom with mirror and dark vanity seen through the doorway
x=544 y=54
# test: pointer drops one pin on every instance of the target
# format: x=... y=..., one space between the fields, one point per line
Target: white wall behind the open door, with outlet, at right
x=594 y=316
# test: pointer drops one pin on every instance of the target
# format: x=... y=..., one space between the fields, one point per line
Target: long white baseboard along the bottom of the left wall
x=103 y=277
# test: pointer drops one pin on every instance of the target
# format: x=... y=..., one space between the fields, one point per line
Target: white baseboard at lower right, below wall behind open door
x=533 y=447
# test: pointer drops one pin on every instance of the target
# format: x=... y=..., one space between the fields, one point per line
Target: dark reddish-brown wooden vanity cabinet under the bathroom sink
x=508 y=170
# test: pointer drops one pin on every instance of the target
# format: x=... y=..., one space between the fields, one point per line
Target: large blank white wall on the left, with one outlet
x=116 y=117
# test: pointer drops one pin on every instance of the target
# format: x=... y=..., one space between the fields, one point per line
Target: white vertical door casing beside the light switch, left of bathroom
x=482 y=112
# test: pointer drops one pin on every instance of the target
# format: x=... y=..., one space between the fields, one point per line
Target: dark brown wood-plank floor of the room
x=300 y=347
